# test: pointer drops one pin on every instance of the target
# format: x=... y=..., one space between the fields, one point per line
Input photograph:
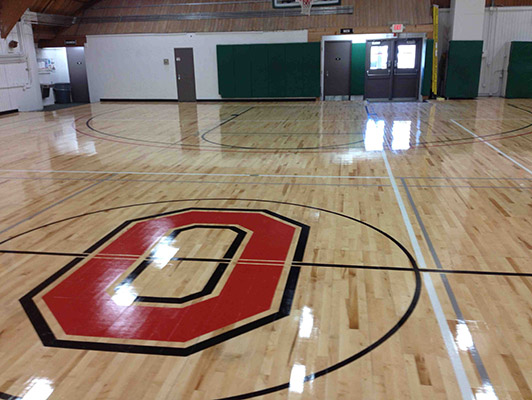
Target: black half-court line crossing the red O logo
x=268 y=262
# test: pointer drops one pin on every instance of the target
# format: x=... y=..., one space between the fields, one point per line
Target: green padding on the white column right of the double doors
x=463 y=69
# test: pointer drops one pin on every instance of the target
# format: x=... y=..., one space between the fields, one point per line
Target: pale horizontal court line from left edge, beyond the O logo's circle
x=213 y=182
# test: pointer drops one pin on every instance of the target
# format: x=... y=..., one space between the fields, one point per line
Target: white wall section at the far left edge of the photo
x=19 y=81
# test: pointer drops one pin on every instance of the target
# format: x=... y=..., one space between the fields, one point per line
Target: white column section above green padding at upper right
x=467 y=19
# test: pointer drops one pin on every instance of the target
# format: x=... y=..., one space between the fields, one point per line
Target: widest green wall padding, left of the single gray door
x=269 y=70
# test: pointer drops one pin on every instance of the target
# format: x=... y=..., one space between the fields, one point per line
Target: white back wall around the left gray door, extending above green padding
x=131 y=66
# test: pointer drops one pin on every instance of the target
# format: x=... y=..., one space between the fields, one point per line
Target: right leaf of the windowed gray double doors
x=406 y=68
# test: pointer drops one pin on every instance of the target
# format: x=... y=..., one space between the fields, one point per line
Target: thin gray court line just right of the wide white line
x=486 y=382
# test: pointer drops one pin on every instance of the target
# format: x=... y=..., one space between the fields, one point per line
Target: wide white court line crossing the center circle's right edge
x=448 y=339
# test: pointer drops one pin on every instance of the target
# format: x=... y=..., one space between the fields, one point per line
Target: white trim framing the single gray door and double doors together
x=362 y=38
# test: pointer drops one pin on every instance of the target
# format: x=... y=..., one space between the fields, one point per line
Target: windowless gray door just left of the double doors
x=337 y=64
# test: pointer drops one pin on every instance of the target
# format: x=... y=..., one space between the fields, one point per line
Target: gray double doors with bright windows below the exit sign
x=393 y=69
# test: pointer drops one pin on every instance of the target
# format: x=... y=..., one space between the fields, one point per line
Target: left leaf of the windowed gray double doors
x=378 y=82
